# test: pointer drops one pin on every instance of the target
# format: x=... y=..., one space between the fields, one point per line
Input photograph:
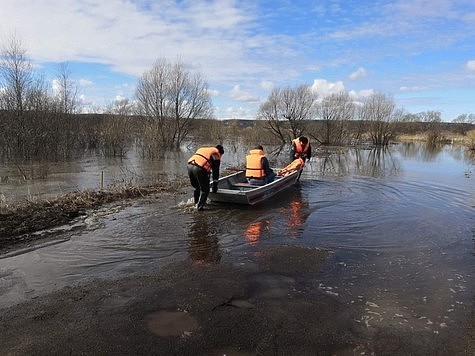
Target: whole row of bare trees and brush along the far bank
x=172 y=106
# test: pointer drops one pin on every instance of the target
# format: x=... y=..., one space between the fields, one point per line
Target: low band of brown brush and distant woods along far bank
x=54 y=136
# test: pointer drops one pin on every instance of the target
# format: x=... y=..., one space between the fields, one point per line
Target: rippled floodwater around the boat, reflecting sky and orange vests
x=400 y=224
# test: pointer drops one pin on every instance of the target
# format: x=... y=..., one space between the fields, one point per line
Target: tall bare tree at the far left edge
x=16 y=75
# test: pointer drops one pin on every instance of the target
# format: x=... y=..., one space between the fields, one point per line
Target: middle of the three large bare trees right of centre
x=335 y=111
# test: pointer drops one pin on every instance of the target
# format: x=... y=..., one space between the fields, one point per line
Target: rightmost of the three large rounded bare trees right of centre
x=380 y=112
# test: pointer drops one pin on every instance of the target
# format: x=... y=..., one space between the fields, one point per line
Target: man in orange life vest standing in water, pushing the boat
x=200 y=165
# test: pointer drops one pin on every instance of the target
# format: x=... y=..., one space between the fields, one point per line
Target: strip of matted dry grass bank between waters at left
x=18 y=224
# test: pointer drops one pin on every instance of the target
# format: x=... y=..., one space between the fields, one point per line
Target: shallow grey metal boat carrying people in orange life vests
x=235 y=189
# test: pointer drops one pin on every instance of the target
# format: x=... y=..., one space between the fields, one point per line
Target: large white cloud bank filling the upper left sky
x=120 y=34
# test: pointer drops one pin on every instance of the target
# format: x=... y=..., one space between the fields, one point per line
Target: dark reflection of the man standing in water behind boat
x=204 y=243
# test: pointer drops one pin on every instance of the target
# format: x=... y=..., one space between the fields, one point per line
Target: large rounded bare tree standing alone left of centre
x=171 y=97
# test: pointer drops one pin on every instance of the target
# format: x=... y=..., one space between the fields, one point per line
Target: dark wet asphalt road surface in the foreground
x=268 y=307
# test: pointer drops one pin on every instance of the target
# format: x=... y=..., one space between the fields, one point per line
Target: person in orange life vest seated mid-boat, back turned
x=258 y=171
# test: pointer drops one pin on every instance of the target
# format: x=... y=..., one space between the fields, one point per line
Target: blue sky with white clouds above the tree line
x=420 y=52
